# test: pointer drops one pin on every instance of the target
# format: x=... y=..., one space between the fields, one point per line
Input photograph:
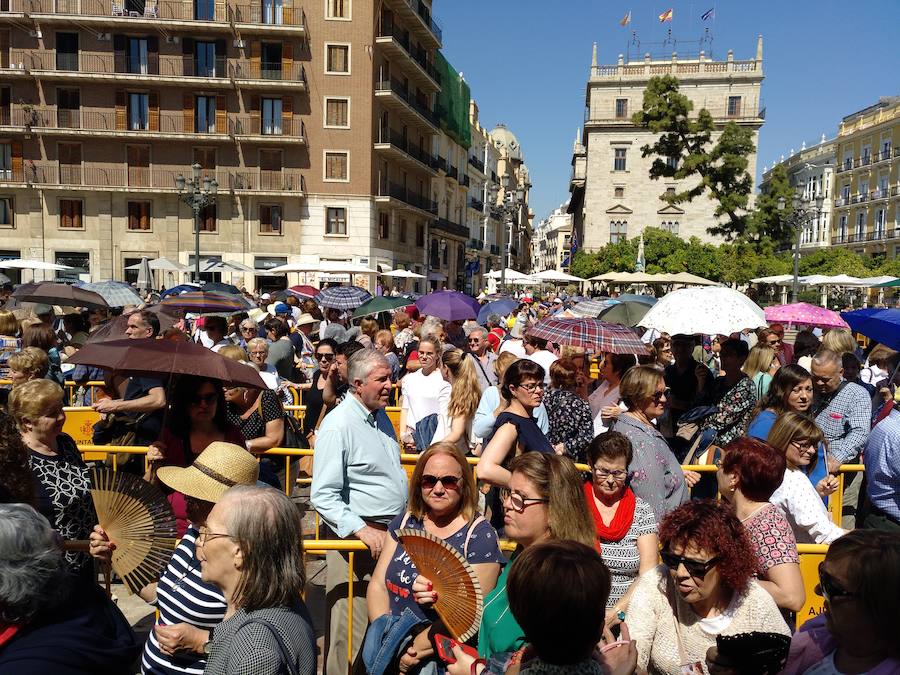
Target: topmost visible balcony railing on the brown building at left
x=177 y=10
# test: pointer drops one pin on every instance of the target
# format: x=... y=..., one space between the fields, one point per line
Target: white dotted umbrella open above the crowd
x=712 y=310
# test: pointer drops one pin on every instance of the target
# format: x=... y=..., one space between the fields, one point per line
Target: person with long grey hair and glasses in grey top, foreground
x=251 y=549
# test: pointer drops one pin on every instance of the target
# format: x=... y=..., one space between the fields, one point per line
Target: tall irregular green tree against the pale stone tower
x=720 y=167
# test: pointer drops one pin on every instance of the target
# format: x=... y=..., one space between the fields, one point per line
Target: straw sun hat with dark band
x=219 y=467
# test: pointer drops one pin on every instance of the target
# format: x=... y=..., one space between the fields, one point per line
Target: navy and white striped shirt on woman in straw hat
x=183 y=597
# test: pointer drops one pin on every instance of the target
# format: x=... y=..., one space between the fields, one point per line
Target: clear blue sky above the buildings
x=527 y=63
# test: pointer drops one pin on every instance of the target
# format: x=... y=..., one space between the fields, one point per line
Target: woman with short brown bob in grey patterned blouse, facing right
x=656 y=476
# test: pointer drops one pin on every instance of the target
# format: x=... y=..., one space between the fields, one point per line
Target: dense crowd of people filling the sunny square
x=623 y=561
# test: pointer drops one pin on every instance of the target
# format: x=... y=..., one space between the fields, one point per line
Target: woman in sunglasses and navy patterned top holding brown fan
x=443 y=501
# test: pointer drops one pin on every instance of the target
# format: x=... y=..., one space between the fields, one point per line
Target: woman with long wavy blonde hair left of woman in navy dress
x=455 y=421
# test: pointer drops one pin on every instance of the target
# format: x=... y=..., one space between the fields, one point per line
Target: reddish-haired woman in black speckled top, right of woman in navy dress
x=571 y=422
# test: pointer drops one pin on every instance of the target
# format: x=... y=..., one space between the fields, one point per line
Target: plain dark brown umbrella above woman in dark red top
x=159 y=358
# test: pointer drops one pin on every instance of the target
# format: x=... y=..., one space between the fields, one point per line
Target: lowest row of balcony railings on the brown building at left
x=50 y=173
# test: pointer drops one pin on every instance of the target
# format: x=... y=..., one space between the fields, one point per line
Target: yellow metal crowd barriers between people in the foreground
x=810 y=554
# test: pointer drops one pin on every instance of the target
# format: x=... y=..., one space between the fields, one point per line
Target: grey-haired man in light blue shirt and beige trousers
x=358 y=487
